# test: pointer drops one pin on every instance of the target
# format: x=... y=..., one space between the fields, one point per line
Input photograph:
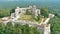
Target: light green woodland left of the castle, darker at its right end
x=6 y=12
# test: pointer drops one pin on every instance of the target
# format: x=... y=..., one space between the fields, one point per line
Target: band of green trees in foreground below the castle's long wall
x=17 y=29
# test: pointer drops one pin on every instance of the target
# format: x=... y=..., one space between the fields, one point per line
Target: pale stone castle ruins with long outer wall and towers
x=43 y=27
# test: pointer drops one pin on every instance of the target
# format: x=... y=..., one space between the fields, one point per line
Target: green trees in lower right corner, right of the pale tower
x=55 y=25
